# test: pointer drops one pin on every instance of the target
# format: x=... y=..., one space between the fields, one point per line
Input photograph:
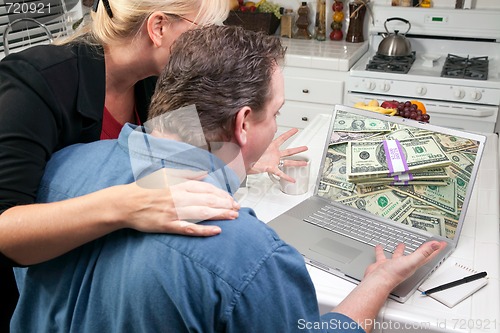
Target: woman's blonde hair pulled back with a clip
x=130 y=15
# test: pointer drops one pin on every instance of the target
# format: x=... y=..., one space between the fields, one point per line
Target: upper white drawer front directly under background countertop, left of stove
x=311 y=90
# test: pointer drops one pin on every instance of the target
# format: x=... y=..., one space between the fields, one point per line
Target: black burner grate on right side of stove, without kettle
x=465 y=68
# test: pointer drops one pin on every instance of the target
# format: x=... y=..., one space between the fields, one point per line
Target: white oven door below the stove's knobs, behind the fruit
x=463 y=116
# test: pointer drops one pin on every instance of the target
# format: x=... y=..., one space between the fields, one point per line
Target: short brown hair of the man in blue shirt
x=219 y=69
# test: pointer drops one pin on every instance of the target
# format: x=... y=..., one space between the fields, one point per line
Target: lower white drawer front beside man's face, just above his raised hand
x=299 y=115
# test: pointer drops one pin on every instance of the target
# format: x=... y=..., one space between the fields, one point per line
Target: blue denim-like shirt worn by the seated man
x=243 y=280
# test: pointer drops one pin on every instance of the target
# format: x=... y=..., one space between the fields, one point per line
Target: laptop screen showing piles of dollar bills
x=400 y=170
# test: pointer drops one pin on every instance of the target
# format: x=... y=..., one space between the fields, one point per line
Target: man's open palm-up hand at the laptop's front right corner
x=393 y=271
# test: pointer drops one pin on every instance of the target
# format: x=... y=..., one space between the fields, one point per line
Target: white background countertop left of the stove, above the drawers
x=328 y=54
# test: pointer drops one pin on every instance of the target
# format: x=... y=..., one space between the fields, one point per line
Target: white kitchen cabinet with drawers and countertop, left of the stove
x=315 y=76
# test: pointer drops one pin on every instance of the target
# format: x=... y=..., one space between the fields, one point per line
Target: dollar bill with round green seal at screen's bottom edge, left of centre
x=386 y=204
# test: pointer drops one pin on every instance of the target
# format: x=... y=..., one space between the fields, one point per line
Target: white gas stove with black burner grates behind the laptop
x=454 y=73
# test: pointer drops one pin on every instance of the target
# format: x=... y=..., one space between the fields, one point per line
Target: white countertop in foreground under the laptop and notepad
x=478 y=248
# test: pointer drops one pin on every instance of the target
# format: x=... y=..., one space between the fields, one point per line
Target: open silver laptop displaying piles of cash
x=383 y=180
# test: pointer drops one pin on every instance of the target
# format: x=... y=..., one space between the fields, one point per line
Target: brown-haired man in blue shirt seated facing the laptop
x=245 y=279
